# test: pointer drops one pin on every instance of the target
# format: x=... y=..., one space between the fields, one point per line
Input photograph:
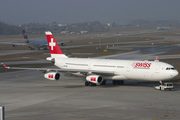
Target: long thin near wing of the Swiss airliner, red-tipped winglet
x=98 y=72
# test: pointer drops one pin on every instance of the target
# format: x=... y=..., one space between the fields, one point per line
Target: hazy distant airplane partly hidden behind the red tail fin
x=38 y=43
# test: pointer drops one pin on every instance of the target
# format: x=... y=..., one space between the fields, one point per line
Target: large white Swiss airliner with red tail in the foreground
x=98 y=71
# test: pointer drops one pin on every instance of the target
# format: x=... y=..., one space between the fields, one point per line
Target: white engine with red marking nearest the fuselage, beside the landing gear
x=94 y=78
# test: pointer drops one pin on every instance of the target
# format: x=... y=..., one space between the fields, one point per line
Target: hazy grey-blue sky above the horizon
x=72 y=11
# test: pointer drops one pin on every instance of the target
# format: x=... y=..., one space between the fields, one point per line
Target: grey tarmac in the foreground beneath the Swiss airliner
x=28 y=95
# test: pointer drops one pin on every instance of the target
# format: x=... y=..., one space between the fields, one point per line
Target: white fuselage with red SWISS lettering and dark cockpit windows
x=122 y=69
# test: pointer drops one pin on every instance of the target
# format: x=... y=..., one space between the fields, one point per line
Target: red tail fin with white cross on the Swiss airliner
x=54 y=47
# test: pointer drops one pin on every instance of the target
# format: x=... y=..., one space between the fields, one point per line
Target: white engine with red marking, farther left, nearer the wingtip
x=52 y=76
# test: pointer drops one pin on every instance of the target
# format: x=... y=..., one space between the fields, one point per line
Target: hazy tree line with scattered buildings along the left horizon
x=37 y=28
